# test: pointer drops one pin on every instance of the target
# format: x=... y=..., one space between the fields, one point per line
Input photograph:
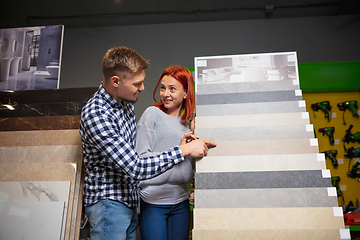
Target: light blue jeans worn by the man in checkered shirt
x=111 y=220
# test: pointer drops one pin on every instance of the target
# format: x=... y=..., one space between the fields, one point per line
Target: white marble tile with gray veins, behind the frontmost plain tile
x=42 y=191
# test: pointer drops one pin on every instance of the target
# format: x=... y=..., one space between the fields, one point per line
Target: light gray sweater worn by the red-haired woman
x=157 y=132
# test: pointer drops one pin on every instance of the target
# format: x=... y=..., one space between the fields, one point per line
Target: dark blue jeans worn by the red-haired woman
x=164 y=222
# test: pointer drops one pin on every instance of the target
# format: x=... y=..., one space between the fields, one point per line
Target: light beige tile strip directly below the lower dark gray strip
x=265 y=198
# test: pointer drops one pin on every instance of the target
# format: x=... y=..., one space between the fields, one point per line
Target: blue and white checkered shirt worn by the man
x=113 y=168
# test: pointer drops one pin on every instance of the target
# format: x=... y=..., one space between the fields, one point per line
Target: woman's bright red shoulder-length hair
x=186 y=79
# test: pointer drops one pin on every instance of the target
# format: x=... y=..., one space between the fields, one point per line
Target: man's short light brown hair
x=123 y=62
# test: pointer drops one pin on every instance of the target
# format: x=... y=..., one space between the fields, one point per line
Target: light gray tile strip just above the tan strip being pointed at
x=254 y=133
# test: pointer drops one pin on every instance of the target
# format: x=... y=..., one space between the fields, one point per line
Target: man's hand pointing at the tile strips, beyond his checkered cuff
x=196 y=148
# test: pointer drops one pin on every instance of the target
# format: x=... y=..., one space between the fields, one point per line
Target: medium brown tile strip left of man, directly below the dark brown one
x=40 y=138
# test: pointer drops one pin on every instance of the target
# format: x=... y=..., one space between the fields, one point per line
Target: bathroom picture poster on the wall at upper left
x=30 y=58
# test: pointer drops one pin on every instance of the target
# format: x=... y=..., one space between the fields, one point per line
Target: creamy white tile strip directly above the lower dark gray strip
x=280 y=162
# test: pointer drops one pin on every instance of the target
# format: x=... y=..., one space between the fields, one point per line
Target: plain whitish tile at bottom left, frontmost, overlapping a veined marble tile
x=31 y=220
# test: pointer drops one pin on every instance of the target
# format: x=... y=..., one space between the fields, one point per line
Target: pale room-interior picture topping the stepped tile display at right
x=246 y=68
